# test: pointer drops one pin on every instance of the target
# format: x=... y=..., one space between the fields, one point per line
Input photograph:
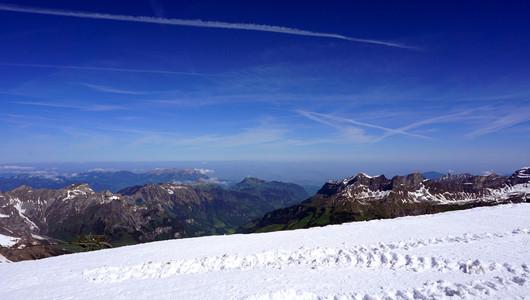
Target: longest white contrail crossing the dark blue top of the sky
x=195 y=23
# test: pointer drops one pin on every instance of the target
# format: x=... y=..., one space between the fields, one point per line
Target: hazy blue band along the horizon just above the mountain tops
x=300 y=172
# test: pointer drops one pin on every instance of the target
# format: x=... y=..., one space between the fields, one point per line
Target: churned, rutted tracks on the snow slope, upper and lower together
x=382 y=255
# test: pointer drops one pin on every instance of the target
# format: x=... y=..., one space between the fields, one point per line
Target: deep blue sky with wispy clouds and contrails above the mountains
x=429 y=84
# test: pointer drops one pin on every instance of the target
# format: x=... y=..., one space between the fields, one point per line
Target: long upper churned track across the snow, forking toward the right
x=377 y=256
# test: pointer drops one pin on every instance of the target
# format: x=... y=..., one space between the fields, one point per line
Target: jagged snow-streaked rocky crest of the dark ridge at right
x=450 y=189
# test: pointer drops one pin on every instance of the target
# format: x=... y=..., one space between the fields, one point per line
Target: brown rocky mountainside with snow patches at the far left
x=40 y=217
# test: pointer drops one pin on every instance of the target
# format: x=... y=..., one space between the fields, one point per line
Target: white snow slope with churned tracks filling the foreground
x=479 y=253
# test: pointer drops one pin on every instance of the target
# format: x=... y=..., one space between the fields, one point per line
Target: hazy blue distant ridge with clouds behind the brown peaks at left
x=103 y=180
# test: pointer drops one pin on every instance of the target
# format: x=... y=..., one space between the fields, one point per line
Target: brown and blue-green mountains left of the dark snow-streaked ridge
x=41 y=218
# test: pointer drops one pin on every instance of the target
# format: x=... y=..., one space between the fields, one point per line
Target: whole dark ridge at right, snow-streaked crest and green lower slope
x=362 y=197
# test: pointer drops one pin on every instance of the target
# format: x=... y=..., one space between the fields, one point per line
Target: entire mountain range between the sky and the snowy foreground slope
x=38 y=222
